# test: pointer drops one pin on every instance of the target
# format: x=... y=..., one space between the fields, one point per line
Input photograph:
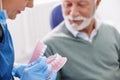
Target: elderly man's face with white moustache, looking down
x=77 y=11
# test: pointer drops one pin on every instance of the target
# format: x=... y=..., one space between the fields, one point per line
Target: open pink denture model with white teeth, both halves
x=56 y=60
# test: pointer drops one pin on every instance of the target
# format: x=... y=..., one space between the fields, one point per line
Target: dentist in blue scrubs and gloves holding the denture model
x=38 y=70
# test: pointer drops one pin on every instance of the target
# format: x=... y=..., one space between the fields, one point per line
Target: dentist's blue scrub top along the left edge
x=6 y=51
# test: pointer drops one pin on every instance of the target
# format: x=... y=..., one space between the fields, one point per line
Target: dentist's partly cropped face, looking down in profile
x=14 y=7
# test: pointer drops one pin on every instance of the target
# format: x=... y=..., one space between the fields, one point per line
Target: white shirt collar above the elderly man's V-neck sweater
x=83 y=35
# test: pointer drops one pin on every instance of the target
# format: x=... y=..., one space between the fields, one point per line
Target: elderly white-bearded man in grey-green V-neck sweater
x=91 y=46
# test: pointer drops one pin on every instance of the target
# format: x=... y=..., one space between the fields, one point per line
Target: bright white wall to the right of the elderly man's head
x=109 y=11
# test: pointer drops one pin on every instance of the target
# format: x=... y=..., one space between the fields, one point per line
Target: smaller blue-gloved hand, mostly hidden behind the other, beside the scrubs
x=18 y=70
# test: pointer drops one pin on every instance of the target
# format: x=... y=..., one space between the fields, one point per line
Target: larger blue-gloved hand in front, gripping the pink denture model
x=38 y=70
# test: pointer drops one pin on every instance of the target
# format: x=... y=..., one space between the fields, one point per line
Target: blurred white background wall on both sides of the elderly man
x=33 y=24
